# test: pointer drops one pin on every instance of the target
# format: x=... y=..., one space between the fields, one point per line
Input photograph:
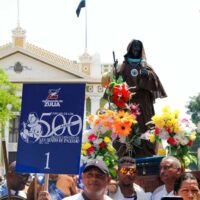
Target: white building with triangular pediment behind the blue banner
x=26 y=63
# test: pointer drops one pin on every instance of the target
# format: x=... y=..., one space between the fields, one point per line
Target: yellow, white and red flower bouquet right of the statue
x=179 y=134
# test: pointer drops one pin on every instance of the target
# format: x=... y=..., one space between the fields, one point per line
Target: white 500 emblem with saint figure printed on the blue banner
x=64 y=128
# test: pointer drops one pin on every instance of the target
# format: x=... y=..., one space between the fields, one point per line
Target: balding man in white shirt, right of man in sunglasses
x=170 y=170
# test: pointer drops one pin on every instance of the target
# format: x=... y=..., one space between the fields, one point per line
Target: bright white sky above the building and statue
x=169 y=30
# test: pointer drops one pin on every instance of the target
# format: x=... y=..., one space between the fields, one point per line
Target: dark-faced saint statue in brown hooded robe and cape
x=146 y=86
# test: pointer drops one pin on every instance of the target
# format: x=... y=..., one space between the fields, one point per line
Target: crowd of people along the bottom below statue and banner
x=98 y=185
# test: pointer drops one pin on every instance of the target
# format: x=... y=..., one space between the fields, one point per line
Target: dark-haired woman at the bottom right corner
x=187 y=187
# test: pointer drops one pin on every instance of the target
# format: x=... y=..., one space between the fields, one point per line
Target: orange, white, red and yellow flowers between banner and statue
x=103 y=129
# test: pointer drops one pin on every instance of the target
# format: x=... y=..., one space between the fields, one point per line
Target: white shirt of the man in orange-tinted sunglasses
x=139 y=192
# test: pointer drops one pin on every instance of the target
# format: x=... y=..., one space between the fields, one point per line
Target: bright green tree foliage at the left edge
x=9 y=102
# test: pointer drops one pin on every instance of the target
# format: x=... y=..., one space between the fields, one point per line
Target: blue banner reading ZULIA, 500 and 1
x=50 y=130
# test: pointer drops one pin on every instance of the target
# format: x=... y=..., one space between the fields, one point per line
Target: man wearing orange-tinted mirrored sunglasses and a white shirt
x=126 y=188
